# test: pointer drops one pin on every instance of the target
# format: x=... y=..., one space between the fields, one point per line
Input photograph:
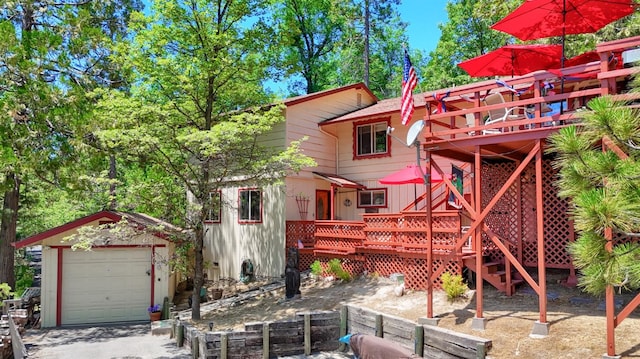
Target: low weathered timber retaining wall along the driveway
x=319 y=331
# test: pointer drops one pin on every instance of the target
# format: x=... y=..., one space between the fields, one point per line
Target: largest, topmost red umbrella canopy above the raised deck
x=537 y=19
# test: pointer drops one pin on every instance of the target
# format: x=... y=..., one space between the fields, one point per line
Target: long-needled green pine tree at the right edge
x=602 y=185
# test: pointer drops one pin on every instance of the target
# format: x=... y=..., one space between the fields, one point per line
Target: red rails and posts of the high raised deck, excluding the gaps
x=452 y=124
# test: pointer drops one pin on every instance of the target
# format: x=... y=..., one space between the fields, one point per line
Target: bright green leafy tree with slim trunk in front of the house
x=193 y=65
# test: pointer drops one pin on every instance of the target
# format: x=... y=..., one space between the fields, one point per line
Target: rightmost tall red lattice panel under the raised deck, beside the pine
x=557 y=225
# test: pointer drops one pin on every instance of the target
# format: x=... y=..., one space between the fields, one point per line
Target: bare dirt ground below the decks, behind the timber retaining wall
x=577 y=326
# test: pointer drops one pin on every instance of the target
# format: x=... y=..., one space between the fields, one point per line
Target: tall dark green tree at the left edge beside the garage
x=50 y=54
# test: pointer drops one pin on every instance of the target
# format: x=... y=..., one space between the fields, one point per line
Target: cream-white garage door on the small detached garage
x=105 y=285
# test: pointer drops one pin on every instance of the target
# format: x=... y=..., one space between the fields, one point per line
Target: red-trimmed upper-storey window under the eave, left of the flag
x=370 y=139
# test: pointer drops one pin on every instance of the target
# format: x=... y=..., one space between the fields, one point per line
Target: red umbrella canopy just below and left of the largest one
x=514 y=60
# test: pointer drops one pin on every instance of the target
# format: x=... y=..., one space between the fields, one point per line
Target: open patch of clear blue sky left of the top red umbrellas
x=423 y=18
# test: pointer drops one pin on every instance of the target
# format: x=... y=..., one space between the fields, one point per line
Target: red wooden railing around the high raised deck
x=572 y=87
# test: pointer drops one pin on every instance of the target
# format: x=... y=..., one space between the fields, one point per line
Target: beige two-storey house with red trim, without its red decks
x=347 y=136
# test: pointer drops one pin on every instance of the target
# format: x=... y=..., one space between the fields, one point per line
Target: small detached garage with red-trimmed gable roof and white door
x=115 y=281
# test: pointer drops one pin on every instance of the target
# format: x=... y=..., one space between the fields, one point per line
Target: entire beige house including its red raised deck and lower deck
x=511 y=225
